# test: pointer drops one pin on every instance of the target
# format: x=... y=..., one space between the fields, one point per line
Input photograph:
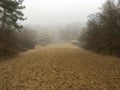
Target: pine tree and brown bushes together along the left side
x=13 y=37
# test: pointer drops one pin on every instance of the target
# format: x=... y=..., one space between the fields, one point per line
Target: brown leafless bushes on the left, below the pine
x=14 y=42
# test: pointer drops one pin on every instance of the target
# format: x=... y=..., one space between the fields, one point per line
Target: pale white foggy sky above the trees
x=59 y=12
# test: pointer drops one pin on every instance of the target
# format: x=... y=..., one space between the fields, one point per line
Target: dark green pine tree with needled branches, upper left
x=10 y=14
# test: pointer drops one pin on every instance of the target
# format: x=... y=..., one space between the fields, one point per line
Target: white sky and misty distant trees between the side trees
x=62 y=20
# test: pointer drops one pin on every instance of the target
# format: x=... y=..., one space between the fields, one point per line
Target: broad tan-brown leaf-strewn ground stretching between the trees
x=60 y=67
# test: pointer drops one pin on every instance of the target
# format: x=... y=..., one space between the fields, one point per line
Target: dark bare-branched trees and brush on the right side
x=102 y=33
